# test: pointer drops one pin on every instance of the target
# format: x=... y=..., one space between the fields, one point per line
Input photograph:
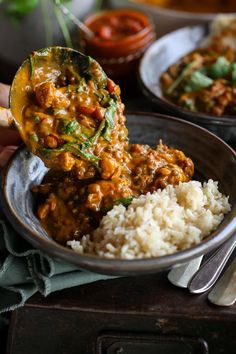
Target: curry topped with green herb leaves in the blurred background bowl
x=205 y=79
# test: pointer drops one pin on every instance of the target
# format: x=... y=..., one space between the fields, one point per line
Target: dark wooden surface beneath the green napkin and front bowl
x=123 y=315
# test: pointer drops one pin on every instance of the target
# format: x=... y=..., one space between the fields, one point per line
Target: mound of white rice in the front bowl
x=158 y=224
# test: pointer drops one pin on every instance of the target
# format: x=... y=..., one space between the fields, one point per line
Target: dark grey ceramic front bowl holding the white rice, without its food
x=212 y=157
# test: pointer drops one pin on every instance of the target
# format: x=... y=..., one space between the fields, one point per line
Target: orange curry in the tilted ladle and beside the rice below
x=74 y=120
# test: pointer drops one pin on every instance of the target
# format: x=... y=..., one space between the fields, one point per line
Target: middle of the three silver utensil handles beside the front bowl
x=209 y=272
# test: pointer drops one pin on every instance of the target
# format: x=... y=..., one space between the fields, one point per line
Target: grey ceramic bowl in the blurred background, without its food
x=160 y=55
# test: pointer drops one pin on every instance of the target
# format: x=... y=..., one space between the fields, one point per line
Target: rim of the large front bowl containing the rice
x=115 y=266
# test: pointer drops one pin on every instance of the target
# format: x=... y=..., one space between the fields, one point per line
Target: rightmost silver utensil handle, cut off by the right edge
x=224 y=292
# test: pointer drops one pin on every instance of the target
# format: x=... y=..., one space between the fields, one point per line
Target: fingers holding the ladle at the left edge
x=9 y=138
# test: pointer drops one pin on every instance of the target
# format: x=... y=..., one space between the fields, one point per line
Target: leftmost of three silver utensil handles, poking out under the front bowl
x=181 y=275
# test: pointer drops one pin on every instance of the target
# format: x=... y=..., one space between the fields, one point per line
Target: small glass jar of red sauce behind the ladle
x=121 y=36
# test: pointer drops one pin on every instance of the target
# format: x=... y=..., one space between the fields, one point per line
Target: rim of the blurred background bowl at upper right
x=224 y=120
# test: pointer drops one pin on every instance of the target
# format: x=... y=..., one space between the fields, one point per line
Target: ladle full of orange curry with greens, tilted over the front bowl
x=68 y=112
